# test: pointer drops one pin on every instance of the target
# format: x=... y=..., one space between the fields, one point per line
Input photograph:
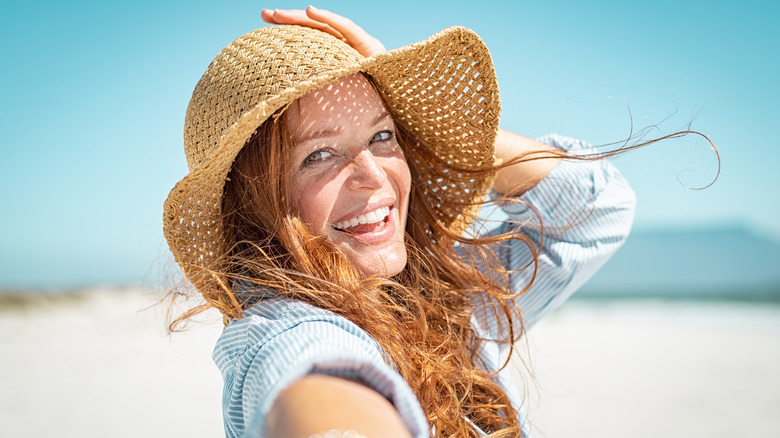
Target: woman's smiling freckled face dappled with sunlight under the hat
x=349 y=179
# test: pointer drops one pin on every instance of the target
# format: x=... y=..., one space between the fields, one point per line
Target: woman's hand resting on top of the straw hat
x=341 y=27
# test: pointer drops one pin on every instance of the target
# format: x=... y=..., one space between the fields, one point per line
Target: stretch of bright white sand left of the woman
x=106 y=368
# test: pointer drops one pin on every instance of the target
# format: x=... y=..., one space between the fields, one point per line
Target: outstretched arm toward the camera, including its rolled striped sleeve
x=292 y=370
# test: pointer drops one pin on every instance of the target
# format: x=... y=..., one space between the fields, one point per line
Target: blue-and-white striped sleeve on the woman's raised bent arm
x=585 y=209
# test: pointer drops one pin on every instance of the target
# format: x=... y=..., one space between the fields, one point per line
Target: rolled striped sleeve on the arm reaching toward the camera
x=279 y=341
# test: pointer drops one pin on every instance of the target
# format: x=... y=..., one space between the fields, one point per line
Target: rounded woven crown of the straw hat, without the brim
x=253 y=69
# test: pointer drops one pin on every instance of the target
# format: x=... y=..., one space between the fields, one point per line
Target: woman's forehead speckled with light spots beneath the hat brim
x=352 y=101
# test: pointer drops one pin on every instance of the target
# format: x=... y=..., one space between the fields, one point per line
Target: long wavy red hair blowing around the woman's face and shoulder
x=420 y=317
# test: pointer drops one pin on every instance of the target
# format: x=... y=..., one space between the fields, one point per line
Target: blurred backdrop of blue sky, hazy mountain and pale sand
x=92 y=109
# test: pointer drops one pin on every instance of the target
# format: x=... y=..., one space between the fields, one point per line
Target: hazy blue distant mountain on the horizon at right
x=716 y=263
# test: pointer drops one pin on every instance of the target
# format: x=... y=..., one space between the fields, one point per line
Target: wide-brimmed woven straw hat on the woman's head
x=443 y=89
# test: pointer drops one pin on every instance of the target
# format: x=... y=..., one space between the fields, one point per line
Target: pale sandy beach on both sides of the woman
x=102 y=365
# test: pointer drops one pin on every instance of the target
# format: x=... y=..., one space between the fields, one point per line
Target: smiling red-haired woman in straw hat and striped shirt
x=329 y=215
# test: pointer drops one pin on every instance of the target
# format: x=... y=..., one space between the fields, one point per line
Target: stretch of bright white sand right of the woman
x=658 y=370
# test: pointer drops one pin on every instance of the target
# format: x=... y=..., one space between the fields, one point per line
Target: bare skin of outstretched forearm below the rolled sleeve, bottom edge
x=318 y=403
